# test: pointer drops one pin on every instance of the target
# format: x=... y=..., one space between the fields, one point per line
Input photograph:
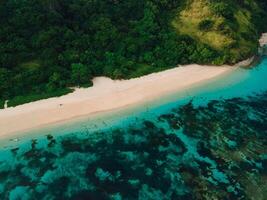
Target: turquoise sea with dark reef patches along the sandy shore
x=208 y=142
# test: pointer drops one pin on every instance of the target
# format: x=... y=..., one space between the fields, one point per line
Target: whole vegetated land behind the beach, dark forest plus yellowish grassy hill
x=47 y=46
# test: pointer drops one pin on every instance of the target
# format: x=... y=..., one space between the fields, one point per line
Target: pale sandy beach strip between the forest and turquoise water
x=105 y=95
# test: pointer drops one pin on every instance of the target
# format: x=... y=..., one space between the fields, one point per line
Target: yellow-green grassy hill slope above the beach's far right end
x=226 y=26
